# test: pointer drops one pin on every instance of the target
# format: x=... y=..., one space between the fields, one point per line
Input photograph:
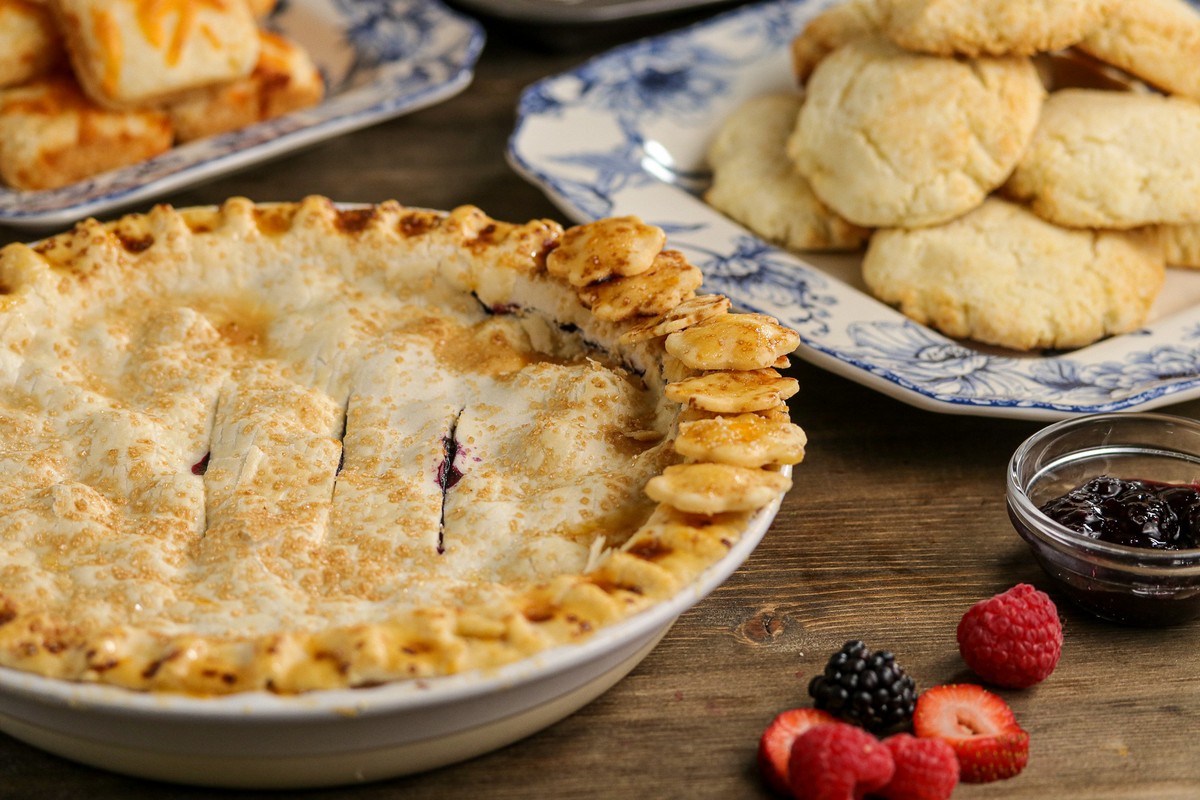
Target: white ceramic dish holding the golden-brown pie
x=341 y=737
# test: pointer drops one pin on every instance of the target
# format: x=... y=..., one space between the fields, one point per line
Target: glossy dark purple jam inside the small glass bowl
x=1137 y=514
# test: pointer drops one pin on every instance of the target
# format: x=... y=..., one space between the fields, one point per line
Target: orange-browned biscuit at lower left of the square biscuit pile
x=51 y=135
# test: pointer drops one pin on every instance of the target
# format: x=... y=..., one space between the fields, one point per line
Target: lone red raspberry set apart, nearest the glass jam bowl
x=1013 y=640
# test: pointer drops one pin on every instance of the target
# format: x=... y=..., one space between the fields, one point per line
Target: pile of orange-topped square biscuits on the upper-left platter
x=91 y=86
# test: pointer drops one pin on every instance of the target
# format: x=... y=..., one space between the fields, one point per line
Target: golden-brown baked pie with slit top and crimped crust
x=301 y=447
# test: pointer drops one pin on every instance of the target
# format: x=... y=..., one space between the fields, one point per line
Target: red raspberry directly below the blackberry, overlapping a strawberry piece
x=838 y=762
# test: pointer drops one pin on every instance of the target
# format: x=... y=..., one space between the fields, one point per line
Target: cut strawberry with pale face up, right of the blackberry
x=981 y=729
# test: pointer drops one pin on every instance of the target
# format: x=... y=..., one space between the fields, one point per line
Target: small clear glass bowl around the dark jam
x=1132 y=586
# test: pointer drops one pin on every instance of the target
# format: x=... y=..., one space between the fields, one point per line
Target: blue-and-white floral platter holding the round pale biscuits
x=626 y=134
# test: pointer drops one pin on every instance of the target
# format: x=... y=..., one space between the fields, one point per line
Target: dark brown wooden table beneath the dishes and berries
x=896 y=526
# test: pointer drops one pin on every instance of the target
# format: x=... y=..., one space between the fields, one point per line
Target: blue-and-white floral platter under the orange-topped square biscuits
x=380 y=59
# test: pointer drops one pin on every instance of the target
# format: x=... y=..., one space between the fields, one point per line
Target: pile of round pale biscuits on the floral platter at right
x=1021 y=172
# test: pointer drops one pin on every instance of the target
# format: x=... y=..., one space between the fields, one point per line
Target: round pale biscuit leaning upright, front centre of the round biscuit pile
x=891 y=139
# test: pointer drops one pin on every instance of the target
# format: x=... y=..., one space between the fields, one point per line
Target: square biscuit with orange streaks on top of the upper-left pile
x=130 y=53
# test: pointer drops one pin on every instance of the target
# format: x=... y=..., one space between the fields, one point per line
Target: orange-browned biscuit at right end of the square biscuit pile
x=284 y=81
